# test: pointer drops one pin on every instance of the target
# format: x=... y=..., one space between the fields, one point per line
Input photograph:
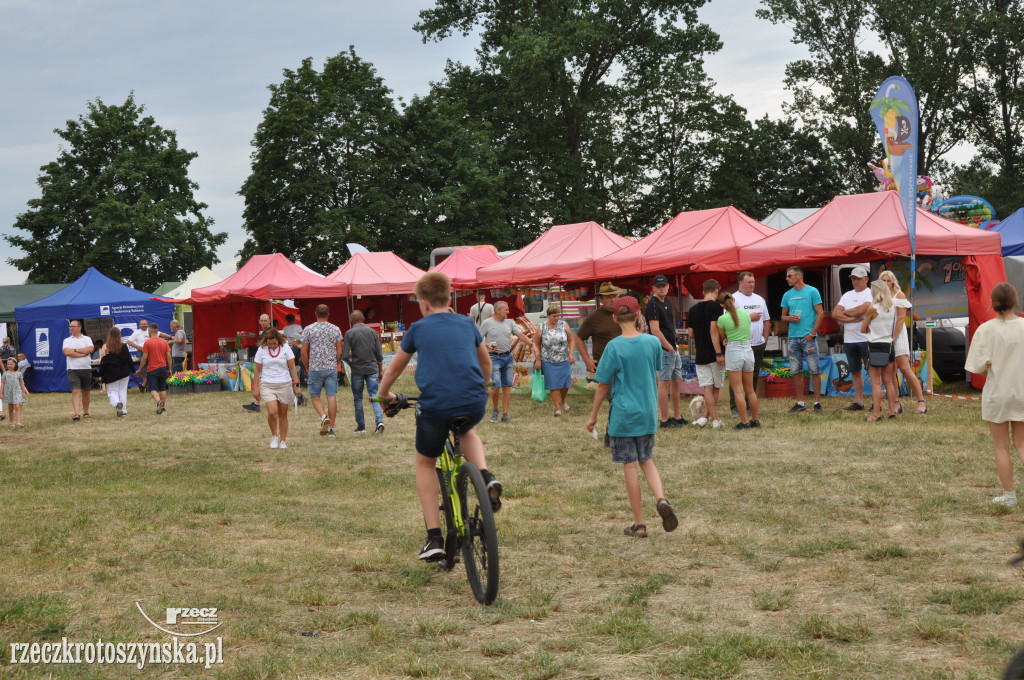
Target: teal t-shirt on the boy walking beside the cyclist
x=631 y=366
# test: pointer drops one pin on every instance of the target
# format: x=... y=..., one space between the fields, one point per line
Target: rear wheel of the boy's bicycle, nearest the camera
x=480 y=546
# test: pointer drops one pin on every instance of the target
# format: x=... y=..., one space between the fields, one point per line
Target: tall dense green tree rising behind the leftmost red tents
x=323 y=169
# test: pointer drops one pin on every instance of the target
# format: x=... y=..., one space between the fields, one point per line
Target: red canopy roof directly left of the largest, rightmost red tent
x=697 y=241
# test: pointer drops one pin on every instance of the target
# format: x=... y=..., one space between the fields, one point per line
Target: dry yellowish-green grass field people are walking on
x=820 y=547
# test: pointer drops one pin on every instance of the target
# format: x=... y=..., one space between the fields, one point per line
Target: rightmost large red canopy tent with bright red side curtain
x=871 y=227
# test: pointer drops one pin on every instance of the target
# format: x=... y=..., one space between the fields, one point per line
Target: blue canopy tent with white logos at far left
x=42 y=326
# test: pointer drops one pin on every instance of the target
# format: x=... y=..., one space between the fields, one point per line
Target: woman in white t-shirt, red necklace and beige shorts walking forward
x=276 y=382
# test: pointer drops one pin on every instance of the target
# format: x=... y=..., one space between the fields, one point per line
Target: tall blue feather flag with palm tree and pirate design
x=894 y=111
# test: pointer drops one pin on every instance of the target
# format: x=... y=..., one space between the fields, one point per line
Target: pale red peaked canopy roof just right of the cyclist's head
x=564 y=253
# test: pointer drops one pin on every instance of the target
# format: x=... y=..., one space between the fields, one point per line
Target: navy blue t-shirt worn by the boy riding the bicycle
x=448 y=371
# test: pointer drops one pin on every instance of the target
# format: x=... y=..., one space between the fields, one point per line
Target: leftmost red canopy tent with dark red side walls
x=236 y=304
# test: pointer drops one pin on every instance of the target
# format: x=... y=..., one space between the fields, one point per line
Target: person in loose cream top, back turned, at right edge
x=998 y=353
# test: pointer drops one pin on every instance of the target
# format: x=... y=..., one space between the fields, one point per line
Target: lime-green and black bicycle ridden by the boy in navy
x=470 y=519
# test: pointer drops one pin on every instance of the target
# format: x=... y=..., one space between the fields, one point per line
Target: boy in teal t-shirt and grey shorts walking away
x=629 y=368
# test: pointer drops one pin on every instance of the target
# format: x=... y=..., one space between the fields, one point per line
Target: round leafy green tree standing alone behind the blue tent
x=118 y=198
